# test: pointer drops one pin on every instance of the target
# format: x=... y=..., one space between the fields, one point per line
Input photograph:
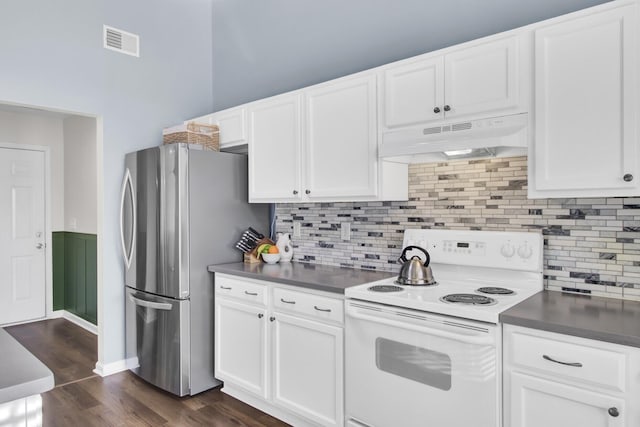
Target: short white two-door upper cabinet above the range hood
x=480 y=80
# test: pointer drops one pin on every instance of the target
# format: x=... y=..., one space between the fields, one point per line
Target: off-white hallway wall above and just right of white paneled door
x=33 y=128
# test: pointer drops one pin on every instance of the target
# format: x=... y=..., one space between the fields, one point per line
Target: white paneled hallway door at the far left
x=22 y=235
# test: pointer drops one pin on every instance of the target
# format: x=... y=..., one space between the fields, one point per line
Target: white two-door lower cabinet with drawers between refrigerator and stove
x=281 y=349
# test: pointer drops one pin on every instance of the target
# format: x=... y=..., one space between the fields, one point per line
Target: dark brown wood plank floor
x=81 y=398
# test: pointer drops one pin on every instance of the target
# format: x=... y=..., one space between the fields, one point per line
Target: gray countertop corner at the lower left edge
x=21 y=373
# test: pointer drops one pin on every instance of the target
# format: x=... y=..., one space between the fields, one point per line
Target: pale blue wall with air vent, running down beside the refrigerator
x=53 y=57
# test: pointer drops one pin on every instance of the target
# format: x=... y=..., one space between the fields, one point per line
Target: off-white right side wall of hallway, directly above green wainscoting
x=80 y=175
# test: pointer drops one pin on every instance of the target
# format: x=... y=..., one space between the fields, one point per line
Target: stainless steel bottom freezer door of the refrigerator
x=158 y=336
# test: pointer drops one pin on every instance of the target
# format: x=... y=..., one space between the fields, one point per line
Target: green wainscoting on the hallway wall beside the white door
x=75 y=277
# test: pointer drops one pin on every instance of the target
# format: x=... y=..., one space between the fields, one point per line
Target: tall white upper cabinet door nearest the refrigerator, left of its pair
x=274 y=149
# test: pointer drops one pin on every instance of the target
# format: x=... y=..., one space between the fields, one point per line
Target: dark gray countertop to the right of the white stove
x=604 y=319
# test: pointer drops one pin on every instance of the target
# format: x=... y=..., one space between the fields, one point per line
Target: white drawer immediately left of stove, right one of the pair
x=309 y=304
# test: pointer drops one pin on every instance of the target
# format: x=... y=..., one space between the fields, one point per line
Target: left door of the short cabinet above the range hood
x=413 y=93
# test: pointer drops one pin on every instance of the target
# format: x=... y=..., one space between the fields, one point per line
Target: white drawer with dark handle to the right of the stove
x=574 y=361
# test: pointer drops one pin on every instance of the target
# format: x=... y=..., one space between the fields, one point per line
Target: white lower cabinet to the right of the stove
x=555 y=380
